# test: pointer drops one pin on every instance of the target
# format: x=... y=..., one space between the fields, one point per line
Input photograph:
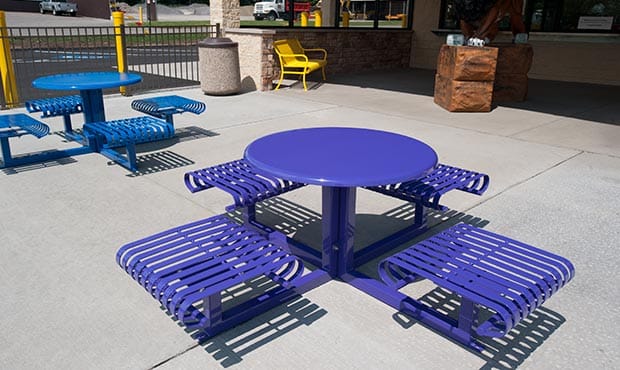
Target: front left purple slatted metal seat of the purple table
x=189 y=266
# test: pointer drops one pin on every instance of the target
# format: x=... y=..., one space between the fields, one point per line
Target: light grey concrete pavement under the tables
x=554 y=163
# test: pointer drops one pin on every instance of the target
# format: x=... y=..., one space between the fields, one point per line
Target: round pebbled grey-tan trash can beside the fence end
x=218 y=60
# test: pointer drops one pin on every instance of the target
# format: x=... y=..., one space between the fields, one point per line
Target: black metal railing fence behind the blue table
x=165 y=56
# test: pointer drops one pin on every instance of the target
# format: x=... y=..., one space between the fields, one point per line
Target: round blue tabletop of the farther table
x=86 y=80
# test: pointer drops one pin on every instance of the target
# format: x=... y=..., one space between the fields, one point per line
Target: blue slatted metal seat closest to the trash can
x=166 y=106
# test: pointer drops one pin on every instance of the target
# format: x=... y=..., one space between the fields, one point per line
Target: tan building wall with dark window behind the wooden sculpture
x=568 y=45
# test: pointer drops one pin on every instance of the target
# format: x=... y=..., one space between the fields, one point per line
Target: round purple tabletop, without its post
x=342 y=157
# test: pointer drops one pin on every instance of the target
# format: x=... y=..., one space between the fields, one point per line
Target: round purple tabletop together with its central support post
x=340 y=159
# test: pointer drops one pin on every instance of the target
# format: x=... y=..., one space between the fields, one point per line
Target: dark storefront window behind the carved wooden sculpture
x=556 y=16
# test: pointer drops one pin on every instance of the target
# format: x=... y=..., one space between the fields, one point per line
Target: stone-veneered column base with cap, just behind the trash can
x=256 y=57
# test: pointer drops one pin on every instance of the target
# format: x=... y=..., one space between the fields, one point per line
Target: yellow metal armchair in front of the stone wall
x=294 y=60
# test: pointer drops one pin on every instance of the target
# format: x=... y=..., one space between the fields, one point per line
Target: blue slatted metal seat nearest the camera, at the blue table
x=103 y=137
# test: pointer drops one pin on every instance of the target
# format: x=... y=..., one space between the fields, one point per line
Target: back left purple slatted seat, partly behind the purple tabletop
x=241 y=181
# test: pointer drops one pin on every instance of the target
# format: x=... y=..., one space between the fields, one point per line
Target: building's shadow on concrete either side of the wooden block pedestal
x=592 y=102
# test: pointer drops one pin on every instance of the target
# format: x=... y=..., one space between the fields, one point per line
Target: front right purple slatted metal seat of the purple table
x=507 y=277
